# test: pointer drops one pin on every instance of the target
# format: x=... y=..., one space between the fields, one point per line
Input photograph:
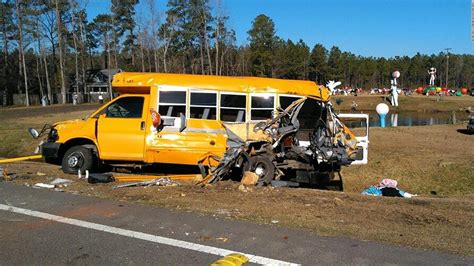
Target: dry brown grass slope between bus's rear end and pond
x=422 y=159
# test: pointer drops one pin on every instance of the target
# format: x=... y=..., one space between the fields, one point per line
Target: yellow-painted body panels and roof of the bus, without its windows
x=135 y=139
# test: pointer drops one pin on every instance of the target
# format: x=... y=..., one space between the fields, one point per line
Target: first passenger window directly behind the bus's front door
x=172 y=103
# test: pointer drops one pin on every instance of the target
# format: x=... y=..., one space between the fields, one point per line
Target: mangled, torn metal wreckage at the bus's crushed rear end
x=278 y=154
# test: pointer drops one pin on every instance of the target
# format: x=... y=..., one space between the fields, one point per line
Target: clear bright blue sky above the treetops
x=364 y=27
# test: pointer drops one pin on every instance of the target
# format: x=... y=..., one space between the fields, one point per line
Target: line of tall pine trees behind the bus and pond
x=51 y=46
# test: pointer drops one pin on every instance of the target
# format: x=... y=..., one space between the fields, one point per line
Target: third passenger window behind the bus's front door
x=233 y=107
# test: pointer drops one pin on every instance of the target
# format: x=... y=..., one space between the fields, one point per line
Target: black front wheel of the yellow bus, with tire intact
x=77 y=158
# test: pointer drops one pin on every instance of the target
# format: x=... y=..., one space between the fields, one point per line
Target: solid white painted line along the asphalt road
x=142 y=236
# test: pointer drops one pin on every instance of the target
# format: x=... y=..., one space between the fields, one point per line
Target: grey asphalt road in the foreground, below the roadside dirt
x=33 y=230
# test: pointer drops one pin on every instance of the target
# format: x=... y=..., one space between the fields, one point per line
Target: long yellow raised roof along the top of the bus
x=133 y=82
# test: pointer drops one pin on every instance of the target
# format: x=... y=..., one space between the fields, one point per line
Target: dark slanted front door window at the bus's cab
x=128 y=107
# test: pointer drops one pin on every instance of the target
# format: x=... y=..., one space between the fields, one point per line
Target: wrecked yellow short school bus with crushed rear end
x=278 y=129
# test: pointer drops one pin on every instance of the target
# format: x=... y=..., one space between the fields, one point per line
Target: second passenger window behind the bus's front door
x=203 y=105
